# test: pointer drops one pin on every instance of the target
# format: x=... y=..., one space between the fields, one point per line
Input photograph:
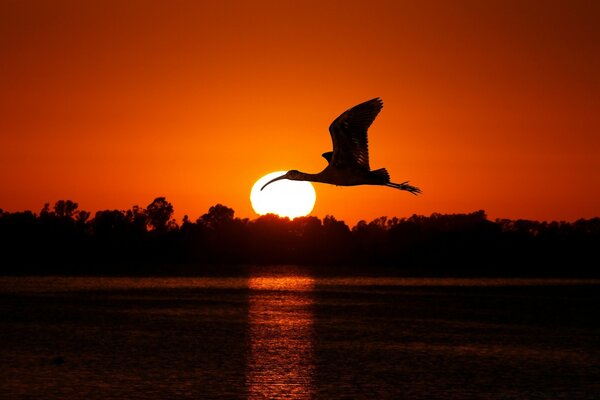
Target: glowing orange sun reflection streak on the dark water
x=281 y=360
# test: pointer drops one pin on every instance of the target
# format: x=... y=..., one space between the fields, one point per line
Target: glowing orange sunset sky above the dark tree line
x=487 y=105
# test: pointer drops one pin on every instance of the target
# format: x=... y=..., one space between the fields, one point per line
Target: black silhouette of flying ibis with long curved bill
x=348 y=163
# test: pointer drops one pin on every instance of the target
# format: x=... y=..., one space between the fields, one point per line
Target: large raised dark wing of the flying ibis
x=349 y=135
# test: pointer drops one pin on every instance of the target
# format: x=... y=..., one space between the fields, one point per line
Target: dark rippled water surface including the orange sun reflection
x=295 y=336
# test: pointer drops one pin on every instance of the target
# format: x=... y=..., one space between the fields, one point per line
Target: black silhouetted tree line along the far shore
x=66 y=240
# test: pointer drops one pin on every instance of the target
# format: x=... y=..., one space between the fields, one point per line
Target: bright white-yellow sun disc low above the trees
x=285 y=198
